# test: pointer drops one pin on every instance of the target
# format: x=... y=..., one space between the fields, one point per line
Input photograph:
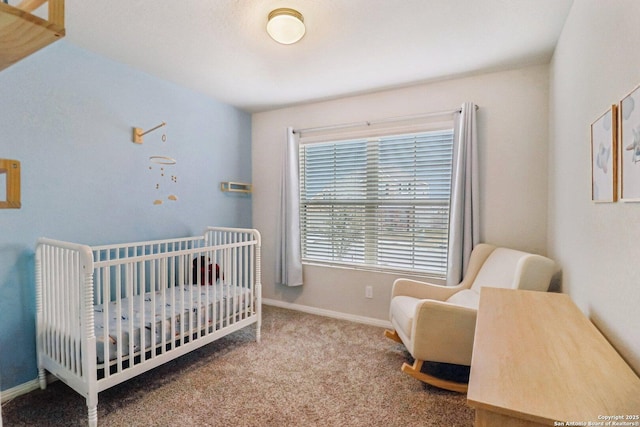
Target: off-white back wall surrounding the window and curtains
x=513 y=133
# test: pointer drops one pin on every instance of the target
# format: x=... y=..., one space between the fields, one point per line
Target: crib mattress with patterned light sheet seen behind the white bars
x=188 y=306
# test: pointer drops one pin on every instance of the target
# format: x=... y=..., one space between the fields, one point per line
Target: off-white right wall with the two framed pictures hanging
x=596 y=64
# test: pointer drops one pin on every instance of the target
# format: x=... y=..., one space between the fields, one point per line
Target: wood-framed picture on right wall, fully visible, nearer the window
x=604 y=164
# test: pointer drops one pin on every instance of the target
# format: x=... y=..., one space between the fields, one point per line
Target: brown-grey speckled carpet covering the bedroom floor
x=307 y=371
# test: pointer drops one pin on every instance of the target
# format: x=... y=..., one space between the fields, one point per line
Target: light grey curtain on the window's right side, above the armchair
x=464 y=220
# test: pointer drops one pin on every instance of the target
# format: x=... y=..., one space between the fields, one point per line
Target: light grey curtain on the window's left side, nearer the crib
x=288 y=257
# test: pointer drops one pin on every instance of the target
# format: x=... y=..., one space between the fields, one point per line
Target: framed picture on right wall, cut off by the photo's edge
x=630 y=146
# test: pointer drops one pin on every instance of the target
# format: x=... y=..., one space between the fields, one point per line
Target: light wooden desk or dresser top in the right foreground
x=537 y=360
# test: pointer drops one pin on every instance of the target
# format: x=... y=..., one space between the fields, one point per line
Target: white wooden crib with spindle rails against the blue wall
x=108 y=313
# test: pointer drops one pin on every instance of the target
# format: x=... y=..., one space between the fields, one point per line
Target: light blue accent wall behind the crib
x=67 y=115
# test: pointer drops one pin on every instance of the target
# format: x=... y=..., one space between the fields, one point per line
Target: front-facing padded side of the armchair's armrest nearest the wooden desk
x=443 y=332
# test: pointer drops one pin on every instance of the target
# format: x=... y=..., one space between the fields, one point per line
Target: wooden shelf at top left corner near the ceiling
x=22 y=33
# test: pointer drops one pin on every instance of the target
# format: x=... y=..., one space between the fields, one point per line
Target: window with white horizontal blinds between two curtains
x=410 y=203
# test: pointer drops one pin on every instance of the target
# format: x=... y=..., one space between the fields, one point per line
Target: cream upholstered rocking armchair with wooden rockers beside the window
x=437 y=323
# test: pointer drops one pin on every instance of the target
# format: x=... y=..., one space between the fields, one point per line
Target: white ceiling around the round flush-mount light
x=221 y=48
